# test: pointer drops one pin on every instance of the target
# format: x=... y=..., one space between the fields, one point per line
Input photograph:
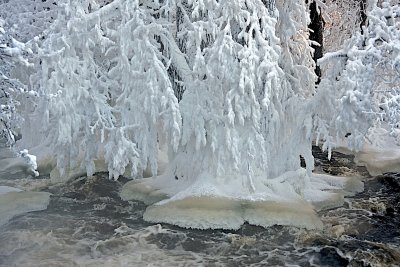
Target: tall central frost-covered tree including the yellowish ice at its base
x=241 y=117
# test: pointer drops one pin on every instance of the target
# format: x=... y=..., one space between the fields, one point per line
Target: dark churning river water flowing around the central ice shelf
x=87 y=224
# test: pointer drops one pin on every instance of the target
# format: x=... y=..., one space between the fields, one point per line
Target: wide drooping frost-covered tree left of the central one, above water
x=95 y=74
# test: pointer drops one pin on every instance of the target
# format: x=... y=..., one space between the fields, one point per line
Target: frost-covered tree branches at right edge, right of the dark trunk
x=364 y=78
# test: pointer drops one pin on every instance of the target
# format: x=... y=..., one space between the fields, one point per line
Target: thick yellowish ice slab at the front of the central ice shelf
x=225 y=213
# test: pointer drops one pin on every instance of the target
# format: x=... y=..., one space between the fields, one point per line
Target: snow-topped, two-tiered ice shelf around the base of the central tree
x=226 y=204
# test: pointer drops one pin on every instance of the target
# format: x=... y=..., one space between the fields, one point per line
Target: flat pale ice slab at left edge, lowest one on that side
x=14 y=202
